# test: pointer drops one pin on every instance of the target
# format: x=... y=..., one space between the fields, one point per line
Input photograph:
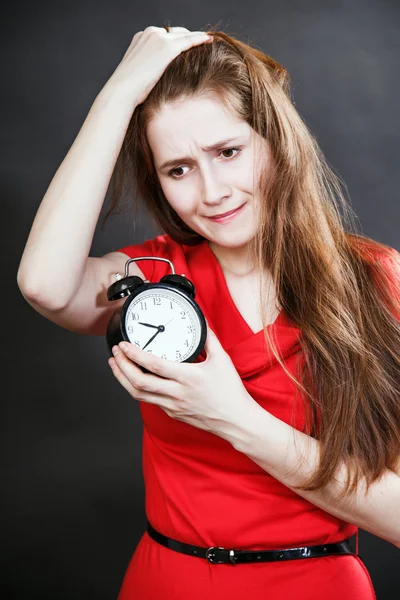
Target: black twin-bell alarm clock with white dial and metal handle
x=161 y=318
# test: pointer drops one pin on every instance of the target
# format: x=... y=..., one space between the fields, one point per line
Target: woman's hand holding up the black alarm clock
x=208 y=395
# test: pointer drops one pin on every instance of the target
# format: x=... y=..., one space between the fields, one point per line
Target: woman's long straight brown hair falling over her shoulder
x=333 y=283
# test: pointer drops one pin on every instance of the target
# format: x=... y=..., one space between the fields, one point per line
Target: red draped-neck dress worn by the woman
x=200 y=490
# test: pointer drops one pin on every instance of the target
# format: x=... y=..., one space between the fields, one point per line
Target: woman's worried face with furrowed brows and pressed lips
x=199 y=181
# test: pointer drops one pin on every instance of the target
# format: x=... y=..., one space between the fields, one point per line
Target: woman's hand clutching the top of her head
x=149 y=54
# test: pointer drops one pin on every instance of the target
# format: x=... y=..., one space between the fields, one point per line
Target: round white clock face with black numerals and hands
x=155 y=307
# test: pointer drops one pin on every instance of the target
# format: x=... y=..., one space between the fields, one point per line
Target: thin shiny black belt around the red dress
x=219 y=555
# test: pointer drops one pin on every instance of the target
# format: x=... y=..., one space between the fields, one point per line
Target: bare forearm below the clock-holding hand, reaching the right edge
x=290 y=456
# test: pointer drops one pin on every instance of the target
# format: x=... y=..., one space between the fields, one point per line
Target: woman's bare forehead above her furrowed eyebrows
x=192 y=123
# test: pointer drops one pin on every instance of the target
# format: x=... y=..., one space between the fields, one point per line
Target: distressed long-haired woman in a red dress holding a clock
x=284 y=438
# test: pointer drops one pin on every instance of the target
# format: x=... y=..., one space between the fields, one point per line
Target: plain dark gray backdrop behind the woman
x=73 y=496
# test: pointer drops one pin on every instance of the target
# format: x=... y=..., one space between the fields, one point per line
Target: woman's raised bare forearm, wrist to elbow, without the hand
x=59 y=242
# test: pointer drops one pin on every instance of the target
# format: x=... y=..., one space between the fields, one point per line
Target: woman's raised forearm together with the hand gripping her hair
x=59 y=242
